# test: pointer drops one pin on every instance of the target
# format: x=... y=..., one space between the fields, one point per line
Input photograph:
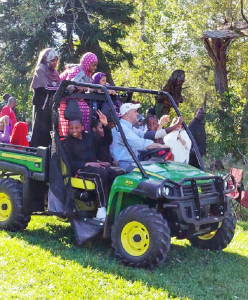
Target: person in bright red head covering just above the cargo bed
x=19 y=134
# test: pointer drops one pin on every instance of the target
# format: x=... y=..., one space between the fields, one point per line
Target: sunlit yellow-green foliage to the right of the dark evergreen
x=168 y=37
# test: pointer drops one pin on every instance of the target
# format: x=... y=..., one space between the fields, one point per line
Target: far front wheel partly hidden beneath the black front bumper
x=218 y=239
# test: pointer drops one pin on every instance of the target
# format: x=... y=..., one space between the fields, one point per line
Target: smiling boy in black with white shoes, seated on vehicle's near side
x=80 y=148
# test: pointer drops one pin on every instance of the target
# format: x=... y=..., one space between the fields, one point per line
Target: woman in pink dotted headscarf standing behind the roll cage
x=79 y=73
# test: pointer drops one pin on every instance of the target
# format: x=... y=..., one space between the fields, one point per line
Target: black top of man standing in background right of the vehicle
x=197 y=129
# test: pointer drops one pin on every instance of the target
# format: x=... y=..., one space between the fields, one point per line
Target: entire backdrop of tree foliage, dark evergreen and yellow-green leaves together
x=166 y=36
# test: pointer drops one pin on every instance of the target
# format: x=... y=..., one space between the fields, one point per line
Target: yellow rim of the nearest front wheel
x=135 y=238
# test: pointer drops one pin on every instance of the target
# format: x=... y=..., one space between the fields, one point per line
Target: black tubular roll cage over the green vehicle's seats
x=60 y=93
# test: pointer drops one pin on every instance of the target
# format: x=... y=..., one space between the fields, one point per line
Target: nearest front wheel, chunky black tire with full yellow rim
x=140 y=237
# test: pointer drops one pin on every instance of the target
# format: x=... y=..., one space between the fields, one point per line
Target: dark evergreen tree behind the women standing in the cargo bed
x=72 y=26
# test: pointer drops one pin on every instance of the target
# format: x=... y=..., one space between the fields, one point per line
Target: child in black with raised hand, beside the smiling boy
x=102 y=132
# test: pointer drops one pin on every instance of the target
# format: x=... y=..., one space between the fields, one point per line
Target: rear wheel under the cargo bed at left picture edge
x=12 y=217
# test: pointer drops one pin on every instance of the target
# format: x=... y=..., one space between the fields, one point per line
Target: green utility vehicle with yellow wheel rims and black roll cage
x=157 y=200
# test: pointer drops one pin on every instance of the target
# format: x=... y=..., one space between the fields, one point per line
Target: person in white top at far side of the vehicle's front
x=179 y=141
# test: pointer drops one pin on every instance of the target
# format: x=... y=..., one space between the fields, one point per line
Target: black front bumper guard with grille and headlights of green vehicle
x=199 y=200
